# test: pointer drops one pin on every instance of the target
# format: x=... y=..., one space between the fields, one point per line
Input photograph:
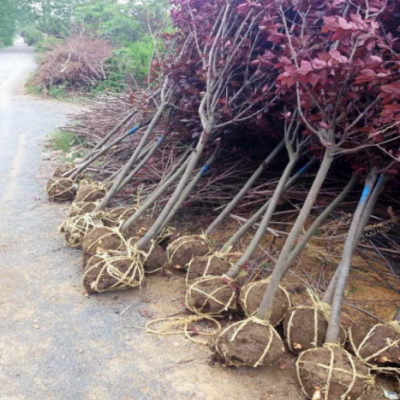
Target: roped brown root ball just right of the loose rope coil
x=251 y=342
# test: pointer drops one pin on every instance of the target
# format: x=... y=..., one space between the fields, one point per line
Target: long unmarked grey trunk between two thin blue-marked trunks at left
x=113 y=190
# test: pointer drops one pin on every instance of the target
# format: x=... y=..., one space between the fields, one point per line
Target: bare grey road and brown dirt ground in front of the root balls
x=56 y=343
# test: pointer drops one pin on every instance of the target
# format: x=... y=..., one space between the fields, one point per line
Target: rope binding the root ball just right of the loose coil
x=238 y=329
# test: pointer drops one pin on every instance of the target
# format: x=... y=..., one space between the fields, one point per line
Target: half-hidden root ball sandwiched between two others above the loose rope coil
x=214 y=265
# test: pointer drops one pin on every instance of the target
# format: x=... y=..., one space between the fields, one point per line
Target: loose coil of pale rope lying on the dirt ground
x=179 y=325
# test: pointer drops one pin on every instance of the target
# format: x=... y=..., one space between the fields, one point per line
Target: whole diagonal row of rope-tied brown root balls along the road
x=113 y=262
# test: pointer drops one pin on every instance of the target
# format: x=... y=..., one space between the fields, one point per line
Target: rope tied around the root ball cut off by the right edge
x=390 y=344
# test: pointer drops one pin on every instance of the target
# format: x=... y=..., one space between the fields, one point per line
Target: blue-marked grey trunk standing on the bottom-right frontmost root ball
x=333 y=332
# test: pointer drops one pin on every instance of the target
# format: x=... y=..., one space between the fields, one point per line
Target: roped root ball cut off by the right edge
x=377 y=346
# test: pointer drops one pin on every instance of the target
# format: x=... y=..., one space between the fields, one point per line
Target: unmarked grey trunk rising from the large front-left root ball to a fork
x=194 y=158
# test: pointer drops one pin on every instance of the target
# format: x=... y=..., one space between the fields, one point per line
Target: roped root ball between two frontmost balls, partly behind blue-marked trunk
x=305 y=328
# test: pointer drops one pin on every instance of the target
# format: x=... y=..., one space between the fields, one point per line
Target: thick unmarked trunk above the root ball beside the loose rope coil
x=264 y=312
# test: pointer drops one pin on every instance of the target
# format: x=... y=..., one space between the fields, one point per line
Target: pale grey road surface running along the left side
x=54 y=342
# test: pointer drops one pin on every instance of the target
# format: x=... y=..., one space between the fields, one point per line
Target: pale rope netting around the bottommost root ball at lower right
x=332 y=369
